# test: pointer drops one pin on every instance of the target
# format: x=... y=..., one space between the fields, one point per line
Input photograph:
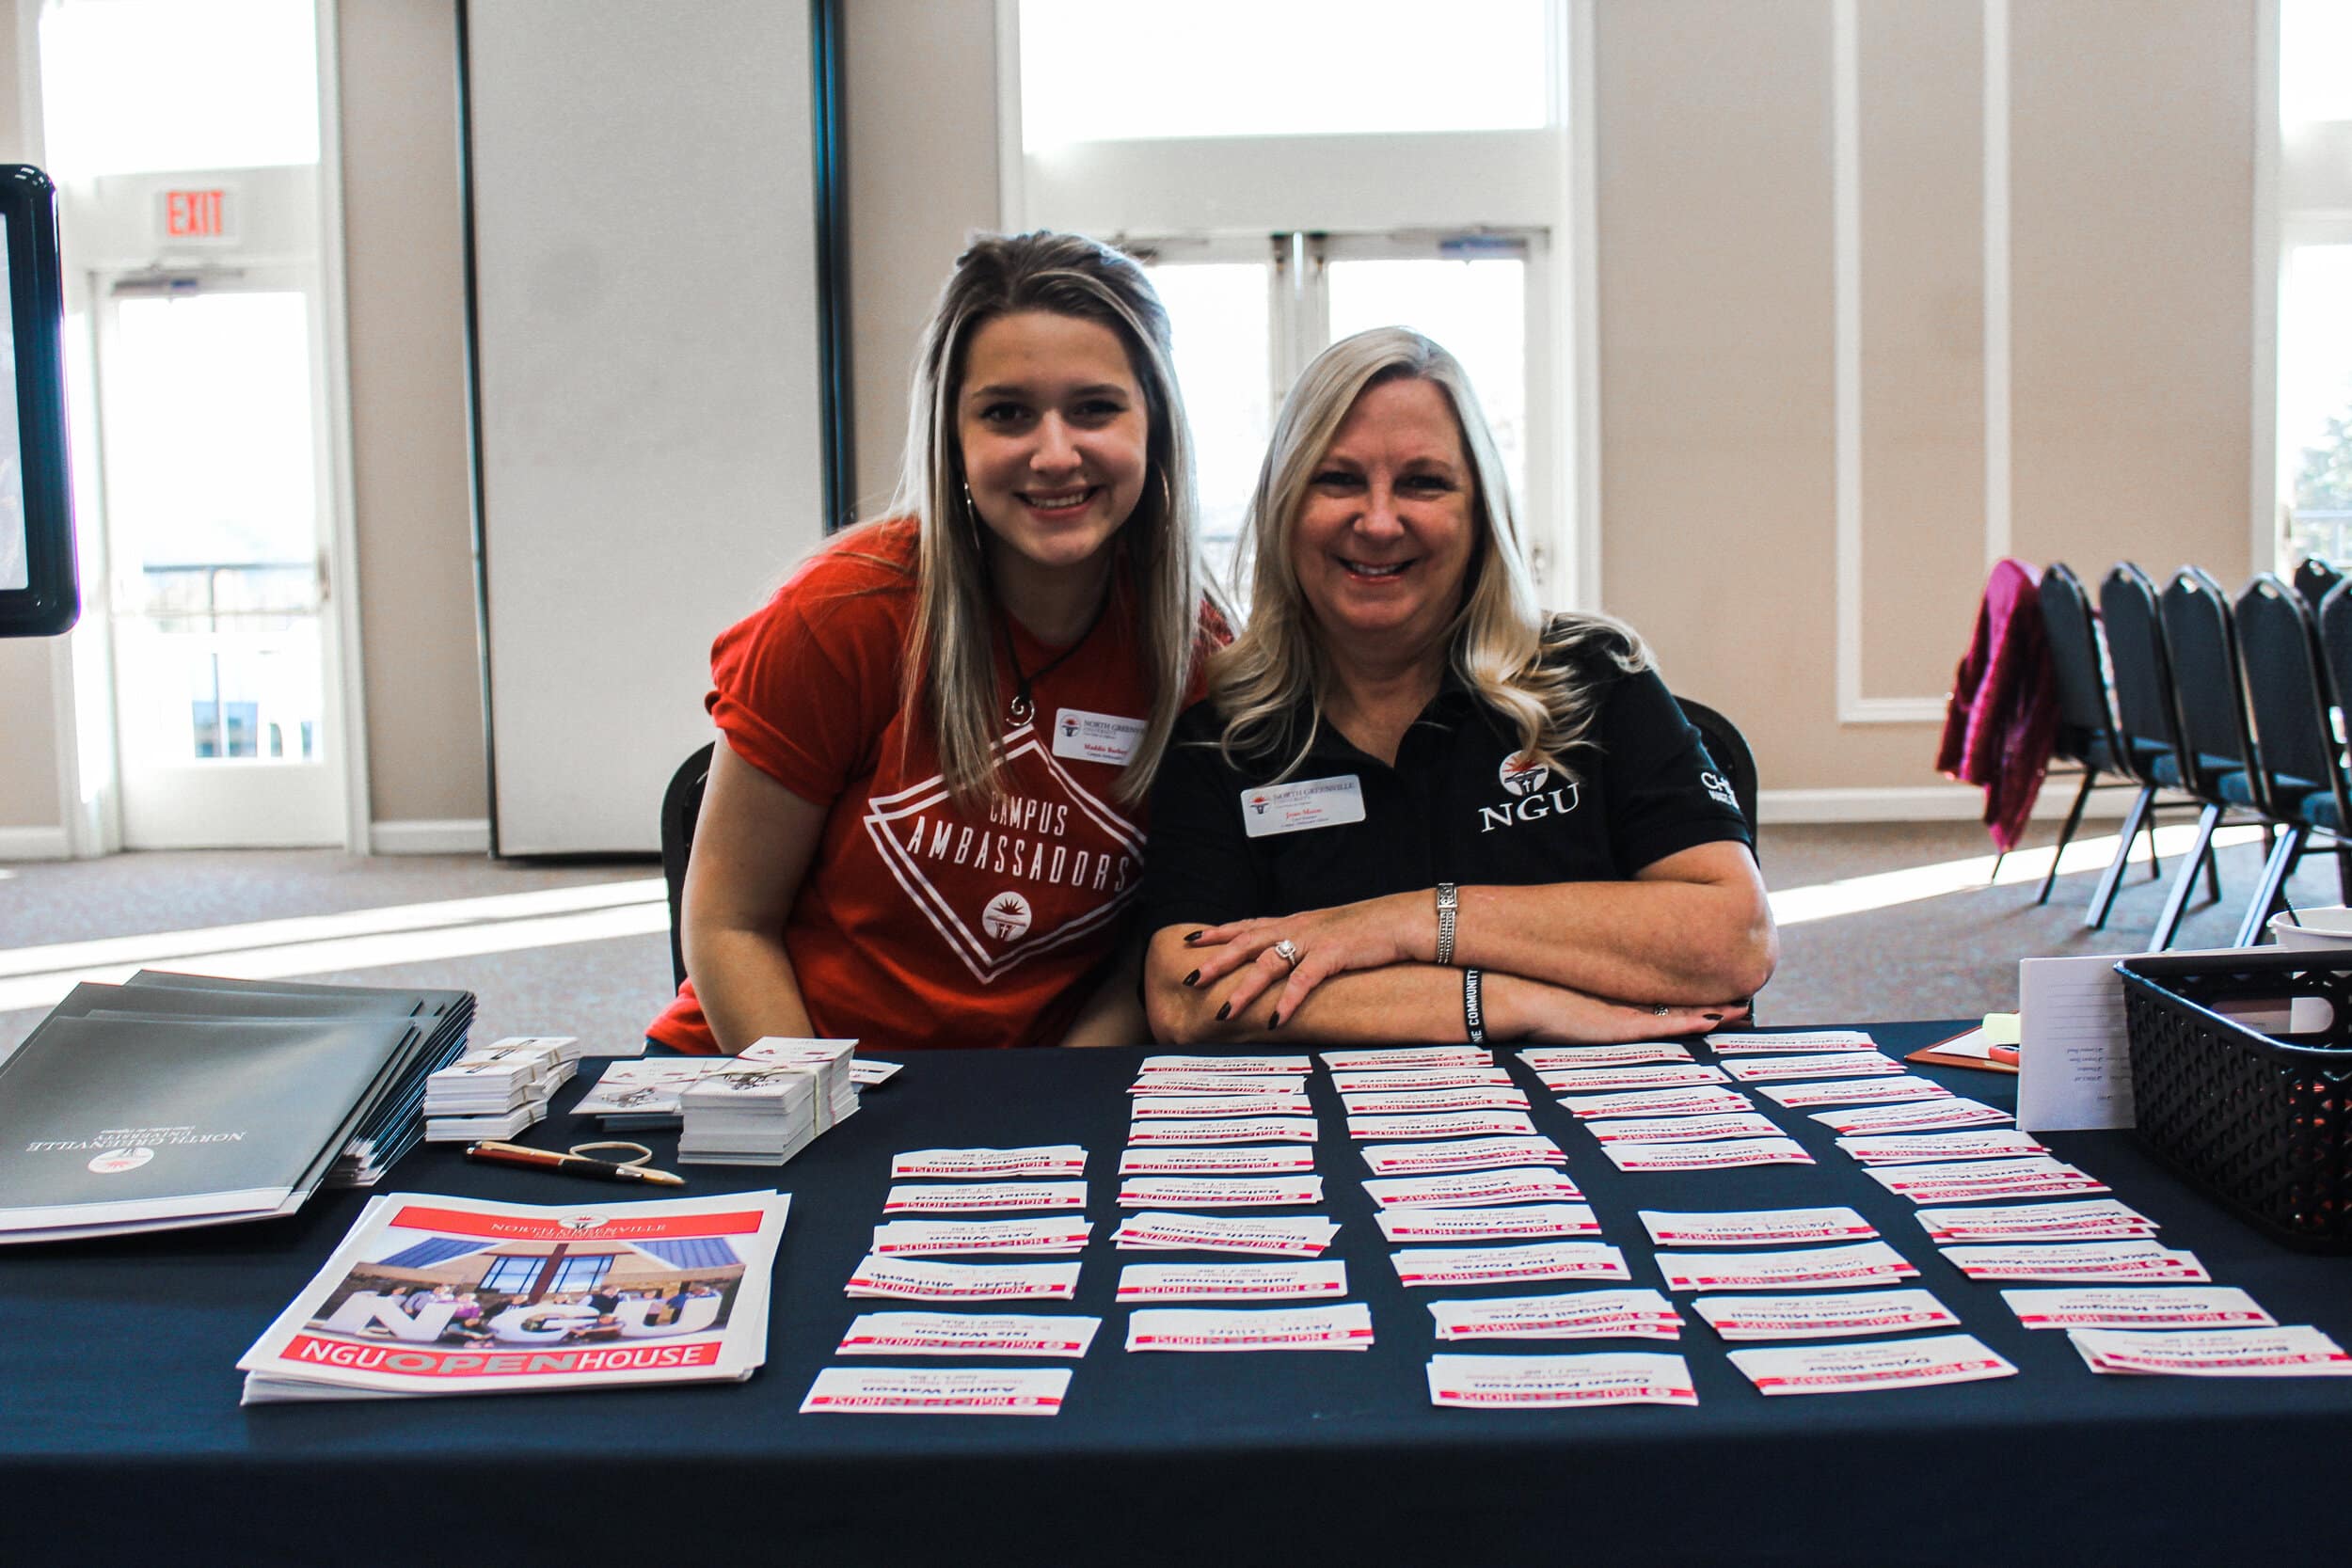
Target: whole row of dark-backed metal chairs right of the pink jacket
x=2229 y=709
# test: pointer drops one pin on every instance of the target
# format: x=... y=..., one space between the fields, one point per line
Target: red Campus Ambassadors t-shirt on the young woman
x=921 y=925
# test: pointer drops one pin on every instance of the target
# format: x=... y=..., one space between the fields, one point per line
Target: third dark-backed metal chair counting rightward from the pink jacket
x=2217 y=751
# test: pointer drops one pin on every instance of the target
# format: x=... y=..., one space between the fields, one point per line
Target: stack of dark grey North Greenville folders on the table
x=196 y=1101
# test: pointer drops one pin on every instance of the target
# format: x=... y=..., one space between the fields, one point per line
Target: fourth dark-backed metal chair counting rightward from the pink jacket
x=2299 y=758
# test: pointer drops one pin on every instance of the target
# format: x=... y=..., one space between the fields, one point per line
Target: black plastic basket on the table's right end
x=2236 y=1099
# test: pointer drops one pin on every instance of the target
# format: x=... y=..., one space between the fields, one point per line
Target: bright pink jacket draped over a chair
x=2003 y=716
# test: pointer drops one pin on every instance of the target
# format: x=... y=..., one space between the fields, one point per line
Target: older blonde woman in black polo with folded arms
x=1412 y=805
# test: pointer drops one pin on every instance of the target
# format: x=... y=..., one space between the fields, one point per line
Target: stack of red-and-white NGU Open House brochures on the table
x=443 y=1296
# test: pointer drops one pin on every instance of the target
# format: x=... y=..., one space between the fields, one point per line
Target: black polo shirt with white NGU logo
x=1229 y=843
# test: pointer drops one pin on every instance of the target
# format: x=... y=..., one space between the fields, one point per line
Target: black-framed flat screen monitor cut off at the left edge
x=39 y=582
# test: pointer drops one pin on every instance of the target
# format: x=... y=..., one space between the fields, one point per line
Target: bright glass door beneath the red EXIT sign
x=215 y=509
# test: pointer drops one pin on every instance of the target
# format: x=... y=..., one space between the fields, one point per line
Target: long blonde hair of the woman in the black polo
x=1521 y=662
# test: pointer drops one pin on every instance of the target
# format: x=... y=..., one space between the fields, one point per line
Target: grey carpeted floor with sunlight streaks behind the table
x=1876 y=923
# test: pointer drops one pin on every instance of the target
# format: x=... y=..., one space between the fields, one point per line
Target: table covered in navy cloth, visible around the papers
x=123 y=1433
